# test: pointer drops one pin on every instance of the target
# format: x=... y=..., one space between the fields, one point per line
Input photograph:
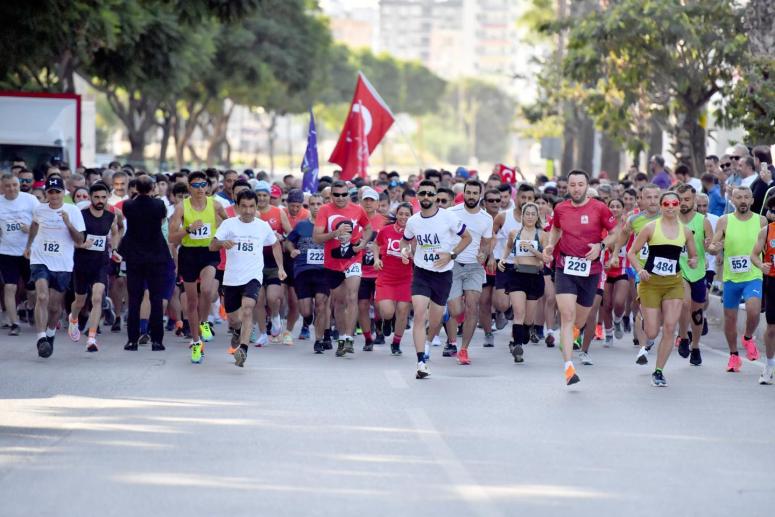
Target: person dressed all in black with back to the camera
x=147 y=256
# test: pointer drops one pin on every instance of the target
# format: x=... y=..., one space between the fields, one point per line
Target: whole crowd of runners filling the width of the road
x=569 y=262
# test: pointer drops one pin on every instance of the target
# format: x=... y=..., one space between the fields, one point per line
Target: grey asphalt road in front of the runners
x=293 y=433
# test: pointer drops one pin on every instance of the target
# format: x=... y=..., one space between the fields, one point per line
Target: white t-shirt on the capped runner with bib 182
x=53 y=246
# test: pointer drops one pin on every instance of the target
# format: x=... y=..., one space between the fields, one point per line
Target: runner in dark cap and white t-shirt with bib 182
x=55 y=231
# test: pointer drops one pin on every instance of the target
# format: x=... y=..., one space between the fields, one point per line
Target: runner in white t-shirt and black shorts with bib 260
x=16 y=217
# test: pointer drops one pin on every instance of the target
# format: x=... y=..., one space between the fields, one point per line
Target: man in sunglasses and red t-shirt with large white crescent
x=345 y=229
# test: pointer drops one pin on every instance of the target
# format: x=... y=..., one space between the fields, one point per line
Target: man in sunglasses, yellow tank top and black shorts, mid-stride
x=193 y=225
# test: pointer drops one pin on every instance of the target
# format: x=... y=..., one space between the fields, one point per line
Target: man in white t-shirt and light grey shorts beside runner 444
x=468 y=272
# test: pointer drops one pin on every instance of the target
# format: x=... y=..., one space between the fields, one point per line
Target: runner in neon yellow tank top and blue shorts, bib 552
x=736 y=236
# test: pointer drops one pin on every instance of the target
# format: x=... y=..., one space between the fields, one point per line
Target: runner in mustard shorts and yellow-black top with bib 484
x=661 y=289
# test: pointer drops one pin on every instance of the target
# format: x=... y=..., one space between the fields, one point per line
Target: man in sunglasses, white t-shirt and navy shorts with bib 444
x=436 y=234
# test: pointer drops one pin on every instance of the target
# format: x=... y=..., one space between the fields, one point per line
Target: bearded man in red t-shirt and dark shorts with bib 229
x=576 y=242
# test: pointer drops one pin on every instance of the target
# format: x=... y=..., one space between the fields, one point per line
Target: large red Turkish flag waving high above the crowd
x=367 y=122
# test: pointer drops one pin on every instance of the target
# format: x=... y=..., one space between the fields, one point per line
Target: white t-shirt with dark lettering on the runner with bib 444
x=435 y=234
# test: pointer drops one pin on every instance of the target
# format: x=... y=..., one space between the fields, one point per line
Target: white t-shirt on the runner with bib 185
x=245 y=260
